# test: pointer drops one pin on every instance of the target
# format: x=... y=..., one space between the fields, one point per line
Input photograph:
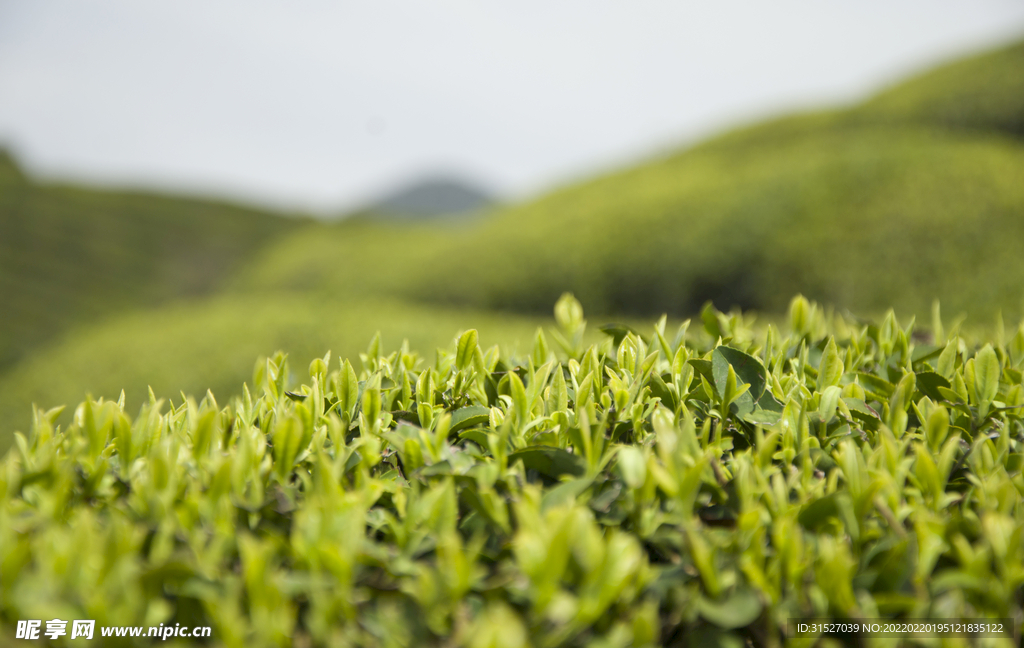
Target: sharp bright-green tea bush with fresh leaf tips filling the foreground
x=692 y=488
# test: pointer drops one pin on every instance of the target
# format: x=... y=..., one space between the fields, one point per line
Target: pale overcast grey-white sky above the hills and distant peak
x=322 y=106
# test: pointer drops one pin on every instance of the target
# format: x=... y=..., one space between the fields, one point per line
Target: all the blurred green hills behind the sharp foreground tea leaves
x=917 y=194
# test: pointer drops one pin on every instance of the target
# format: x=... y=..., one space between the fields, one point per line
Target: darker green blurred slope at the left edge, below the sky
x=70 y=254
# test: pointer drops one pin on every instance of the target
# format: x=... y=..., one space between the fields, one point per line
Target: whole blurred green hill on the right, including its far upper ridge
x=915 y=195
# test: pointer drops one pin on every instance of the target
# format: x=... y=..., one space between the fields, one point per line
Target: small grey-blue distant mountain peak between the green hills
x=434 y=196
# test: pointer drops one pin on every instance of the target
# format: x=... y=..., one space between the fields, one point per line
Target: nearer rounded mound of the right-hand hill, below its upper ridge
x=859 y=219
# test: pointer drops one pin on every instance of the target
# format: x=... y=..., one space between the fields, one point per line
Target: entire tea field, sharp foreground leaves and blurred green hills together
x=464 y=471
